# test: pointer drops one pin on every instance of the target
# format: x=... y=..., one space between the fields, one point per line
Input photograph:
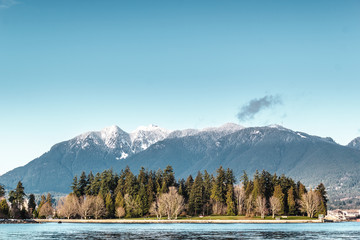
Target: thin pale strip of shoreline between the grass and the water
x=126 y=221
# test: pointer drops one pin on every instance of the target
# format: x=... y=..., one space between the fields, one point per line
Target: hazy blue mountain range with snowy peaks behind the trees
x=310 y=159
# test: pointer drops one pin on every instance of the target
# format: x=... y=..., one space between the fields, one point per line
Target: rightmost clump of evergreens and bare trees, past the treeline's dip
x=270 y=194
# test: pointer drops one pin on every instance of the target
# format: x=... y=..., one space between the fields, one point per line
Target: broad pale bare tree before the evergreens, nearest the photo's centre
x=172 y=203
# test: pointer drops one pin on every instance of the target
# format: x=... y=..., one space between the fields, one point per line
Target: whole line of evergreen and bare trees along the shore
x=158 y=195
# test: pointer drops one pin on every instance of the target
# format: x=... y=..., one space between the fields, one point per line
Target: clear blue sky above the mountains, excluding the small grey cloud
x=68 y=67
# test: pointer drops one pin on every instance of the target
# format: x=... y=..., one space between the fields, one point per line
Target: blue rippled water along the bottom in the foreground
x=346 y=230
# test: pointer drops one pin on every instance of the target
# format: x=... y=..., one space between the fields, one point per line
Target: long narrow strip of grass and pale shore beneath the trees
x=208 y=219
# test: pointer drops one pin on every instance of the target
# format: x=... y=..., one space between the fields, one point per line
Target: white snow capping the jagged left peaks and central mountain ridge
x=122 y=144
